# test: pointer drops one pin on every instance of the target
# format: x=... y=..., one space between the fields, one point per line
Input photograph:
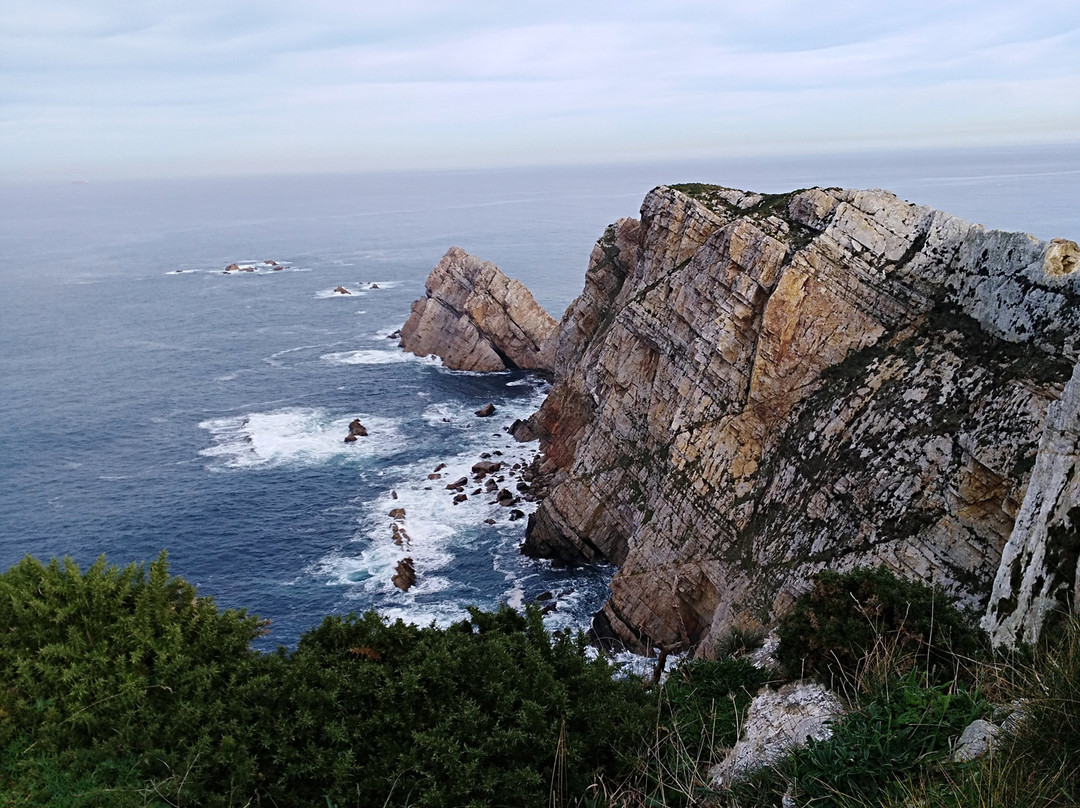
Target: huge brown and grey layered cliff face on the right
x=752 y=388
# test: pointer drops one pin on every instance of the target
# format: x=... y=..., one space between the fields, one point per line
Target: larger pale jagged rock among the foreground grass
x=778 y=722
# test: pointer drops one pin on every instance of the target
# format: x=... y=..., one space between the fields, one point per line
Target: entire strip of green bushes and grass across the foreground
x=124 y=688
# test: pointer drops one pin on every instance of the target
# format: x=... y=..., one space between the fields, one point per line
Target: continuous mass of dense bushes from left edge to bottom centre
x=123 y=688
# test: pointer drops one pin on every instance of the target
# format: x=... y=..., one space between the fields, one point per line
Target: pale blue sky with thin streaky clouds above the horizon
x=199 y=88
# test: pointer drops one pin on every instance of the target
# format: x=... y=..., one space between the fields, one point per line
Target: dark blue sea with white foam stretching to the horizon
x=150 y=401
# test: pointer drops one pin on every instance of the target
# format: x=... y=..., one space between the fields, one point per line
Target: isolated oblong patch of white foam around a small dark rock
x=295 y=437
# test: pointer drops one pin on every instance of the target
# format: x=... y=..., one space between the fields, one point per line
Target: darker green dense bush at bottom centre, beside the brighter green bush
x=488 y=712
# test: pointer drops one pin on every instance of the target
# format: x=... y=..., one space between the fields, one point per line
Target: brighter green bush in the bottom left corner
x=113 y=680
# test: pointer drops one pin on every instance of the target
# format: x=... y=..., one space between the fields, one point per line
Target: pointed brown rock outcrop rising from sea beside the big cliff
x=477 y=319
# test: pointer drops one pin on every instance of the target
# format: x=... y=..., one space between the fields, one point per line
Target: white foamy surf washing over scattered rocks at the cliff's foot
x=453 y=545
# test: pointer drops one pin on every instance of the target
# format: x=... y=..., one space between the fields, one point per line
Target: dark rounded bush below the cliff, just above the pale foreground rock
x=848 y=617
